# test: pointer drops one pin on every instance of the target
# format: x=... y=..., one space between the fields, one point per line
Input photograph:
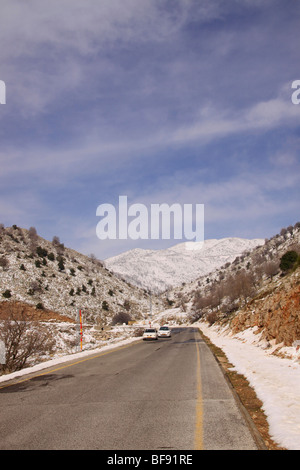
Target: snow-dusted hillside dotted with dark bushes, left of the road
x=51 y=277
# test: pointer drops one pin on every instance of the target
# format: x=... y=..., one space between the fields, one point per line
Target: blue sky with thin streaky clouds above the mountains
x=174 y=102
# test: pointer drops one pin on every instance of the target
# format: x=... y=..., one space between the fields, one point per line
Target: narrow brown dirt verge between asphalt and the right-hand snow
x=246 y=394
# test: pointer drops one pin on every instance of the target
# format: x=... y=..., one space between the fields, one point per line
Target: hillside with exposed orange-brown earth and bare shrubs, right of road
x=252 y=291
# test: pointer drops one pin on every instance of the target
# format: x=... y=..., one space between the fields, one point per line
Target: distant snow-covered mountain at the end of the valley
x=159 y=270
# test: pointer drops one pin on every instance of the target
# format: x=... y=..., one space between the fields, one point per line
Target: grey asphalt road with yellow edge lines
x=168 y=394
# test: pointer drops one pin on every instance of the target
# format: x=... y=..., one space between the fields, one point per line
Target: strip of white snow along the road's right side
x=276 y=380
